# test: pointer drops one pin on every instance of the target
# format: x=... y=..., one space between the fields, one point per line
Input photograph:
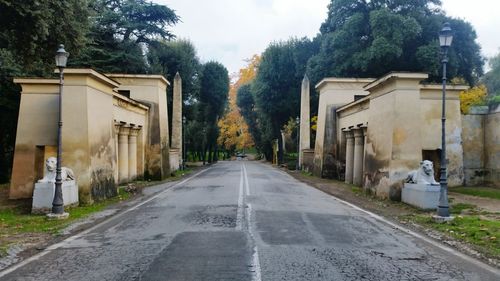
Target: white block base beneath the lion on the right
x=423 y=196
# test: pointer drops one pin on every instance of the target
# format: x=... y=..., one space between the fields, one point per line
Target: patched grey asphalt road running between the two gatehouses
x=244 y=220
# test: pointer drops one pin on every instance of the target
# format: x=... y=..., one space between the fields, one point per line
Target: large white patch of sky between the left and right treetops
x=231 y=31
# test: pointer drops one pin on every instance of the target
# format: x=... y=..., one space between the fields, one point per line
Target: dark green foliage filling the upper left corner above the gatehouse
x=31 y=29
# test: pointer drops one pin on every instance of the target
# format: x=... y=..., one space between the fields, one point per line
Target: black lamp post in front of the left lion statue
x=58 y=203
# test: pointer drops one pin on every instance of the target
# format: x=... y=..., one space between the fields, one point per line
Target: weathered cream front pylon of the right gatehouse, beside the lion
x=393 y=136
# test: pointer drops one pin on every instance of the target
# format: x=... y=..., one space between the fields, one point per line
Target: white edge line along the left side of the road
x=79 y=235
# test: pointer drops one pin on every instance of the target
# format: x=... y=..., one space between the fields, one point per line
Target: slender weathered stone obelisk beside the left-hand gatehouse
x=177 y=116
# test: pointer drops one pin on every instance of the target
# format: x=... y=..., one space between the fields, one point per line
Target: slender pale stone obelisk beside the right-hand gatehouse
x=305 y=122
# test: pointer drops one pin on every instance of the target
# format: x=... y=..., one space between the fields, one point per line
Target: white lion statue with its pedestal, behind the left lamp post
x=43 y=194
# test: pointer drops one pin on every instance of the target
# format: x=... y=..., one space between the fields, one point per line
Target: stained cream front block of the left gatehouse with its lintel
x=88 y=132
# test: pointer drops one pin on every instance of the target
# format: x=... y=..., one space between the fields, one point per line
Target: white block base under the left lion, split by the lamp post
x=43 y=195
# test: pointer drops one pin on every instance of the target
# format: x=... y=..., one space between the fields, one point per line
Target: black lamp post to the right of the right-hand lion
x=445 y=39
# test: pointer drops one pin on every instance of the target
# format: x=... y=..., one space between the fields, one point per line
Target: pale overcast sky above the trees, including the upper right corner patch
x=230 y=31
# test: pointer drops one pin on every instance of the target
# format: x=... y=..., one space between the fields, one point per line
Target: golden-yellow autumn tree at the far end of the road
x=234 y=134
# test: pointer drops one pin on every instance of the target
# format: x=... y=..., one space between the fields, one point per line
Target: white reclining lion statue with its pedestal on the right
x=420 y=189
